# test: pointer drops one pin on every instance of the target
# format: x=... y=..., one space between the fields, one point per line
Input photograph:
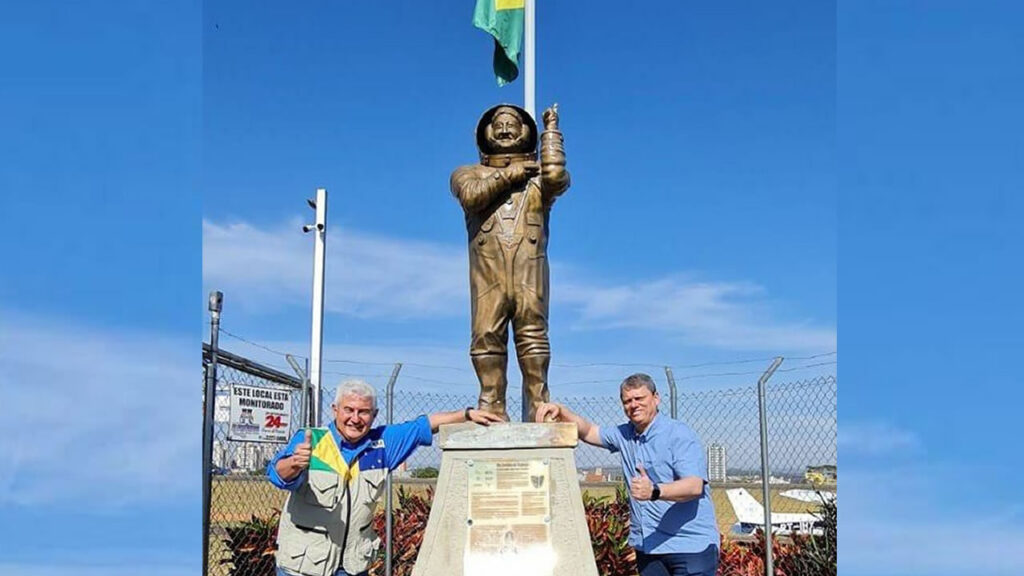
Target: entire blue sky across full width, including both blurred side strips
x=739 y=169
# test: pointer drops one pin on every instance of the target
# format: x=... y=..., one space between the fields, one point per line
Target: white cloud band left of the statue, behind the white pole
x=367 y=276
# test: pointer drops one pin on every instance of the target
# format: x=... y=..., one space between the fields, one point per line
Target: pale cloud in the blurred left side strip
x=119 y=413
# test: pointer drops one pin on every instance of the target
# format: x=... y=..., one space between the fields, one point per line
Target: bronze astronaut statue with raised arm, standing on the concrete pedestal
x=507 y=199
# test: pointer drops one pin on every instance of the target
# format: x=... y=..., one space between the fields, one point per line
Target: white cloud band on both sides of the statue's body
x=369 y=276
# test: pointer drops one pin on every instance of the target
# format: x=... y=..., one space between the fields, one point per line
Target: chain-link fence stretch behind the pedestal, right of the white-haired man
x=801 y=424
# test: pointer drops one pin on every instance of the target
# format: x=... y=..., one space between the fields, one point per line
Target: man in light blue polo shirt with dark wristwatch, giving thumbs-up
x=672 y=521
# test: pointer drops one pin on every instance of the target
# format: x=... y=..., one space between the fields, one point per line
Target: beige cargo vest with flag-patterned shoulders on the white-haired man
x=327 y=522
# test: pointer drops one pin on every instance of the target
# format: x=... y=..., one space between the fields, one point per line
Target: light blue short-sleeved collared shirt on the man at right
x=669 y=450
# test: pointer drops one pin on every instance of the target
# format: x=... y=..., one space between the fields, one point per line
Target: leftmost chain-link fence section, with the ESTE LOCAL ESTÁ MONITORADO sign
x=239 y=489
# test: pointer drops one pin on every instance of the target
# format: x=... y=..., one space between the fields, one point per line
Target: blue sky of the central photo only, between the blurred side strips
x=677 y=195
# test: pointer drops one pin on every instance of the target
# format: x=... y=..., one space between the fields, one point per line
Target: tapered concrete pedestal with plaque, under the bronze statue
x=507 y=504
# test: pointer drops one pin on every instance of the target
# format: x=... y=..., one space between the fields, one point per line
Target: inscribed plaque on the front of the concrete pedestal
x=509 y=520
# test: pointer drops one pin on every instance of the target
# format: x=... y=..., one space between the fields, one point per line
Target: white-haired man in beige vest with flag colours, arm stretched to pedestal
x=336 y=476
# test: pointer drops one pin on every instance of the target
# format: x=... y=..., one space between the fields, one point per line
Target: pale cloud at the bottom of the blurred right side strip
x=916 y=520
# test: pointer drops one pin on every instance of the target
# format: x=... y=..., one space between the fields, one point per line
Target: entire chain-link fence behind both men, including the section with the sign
x=801 y=423
